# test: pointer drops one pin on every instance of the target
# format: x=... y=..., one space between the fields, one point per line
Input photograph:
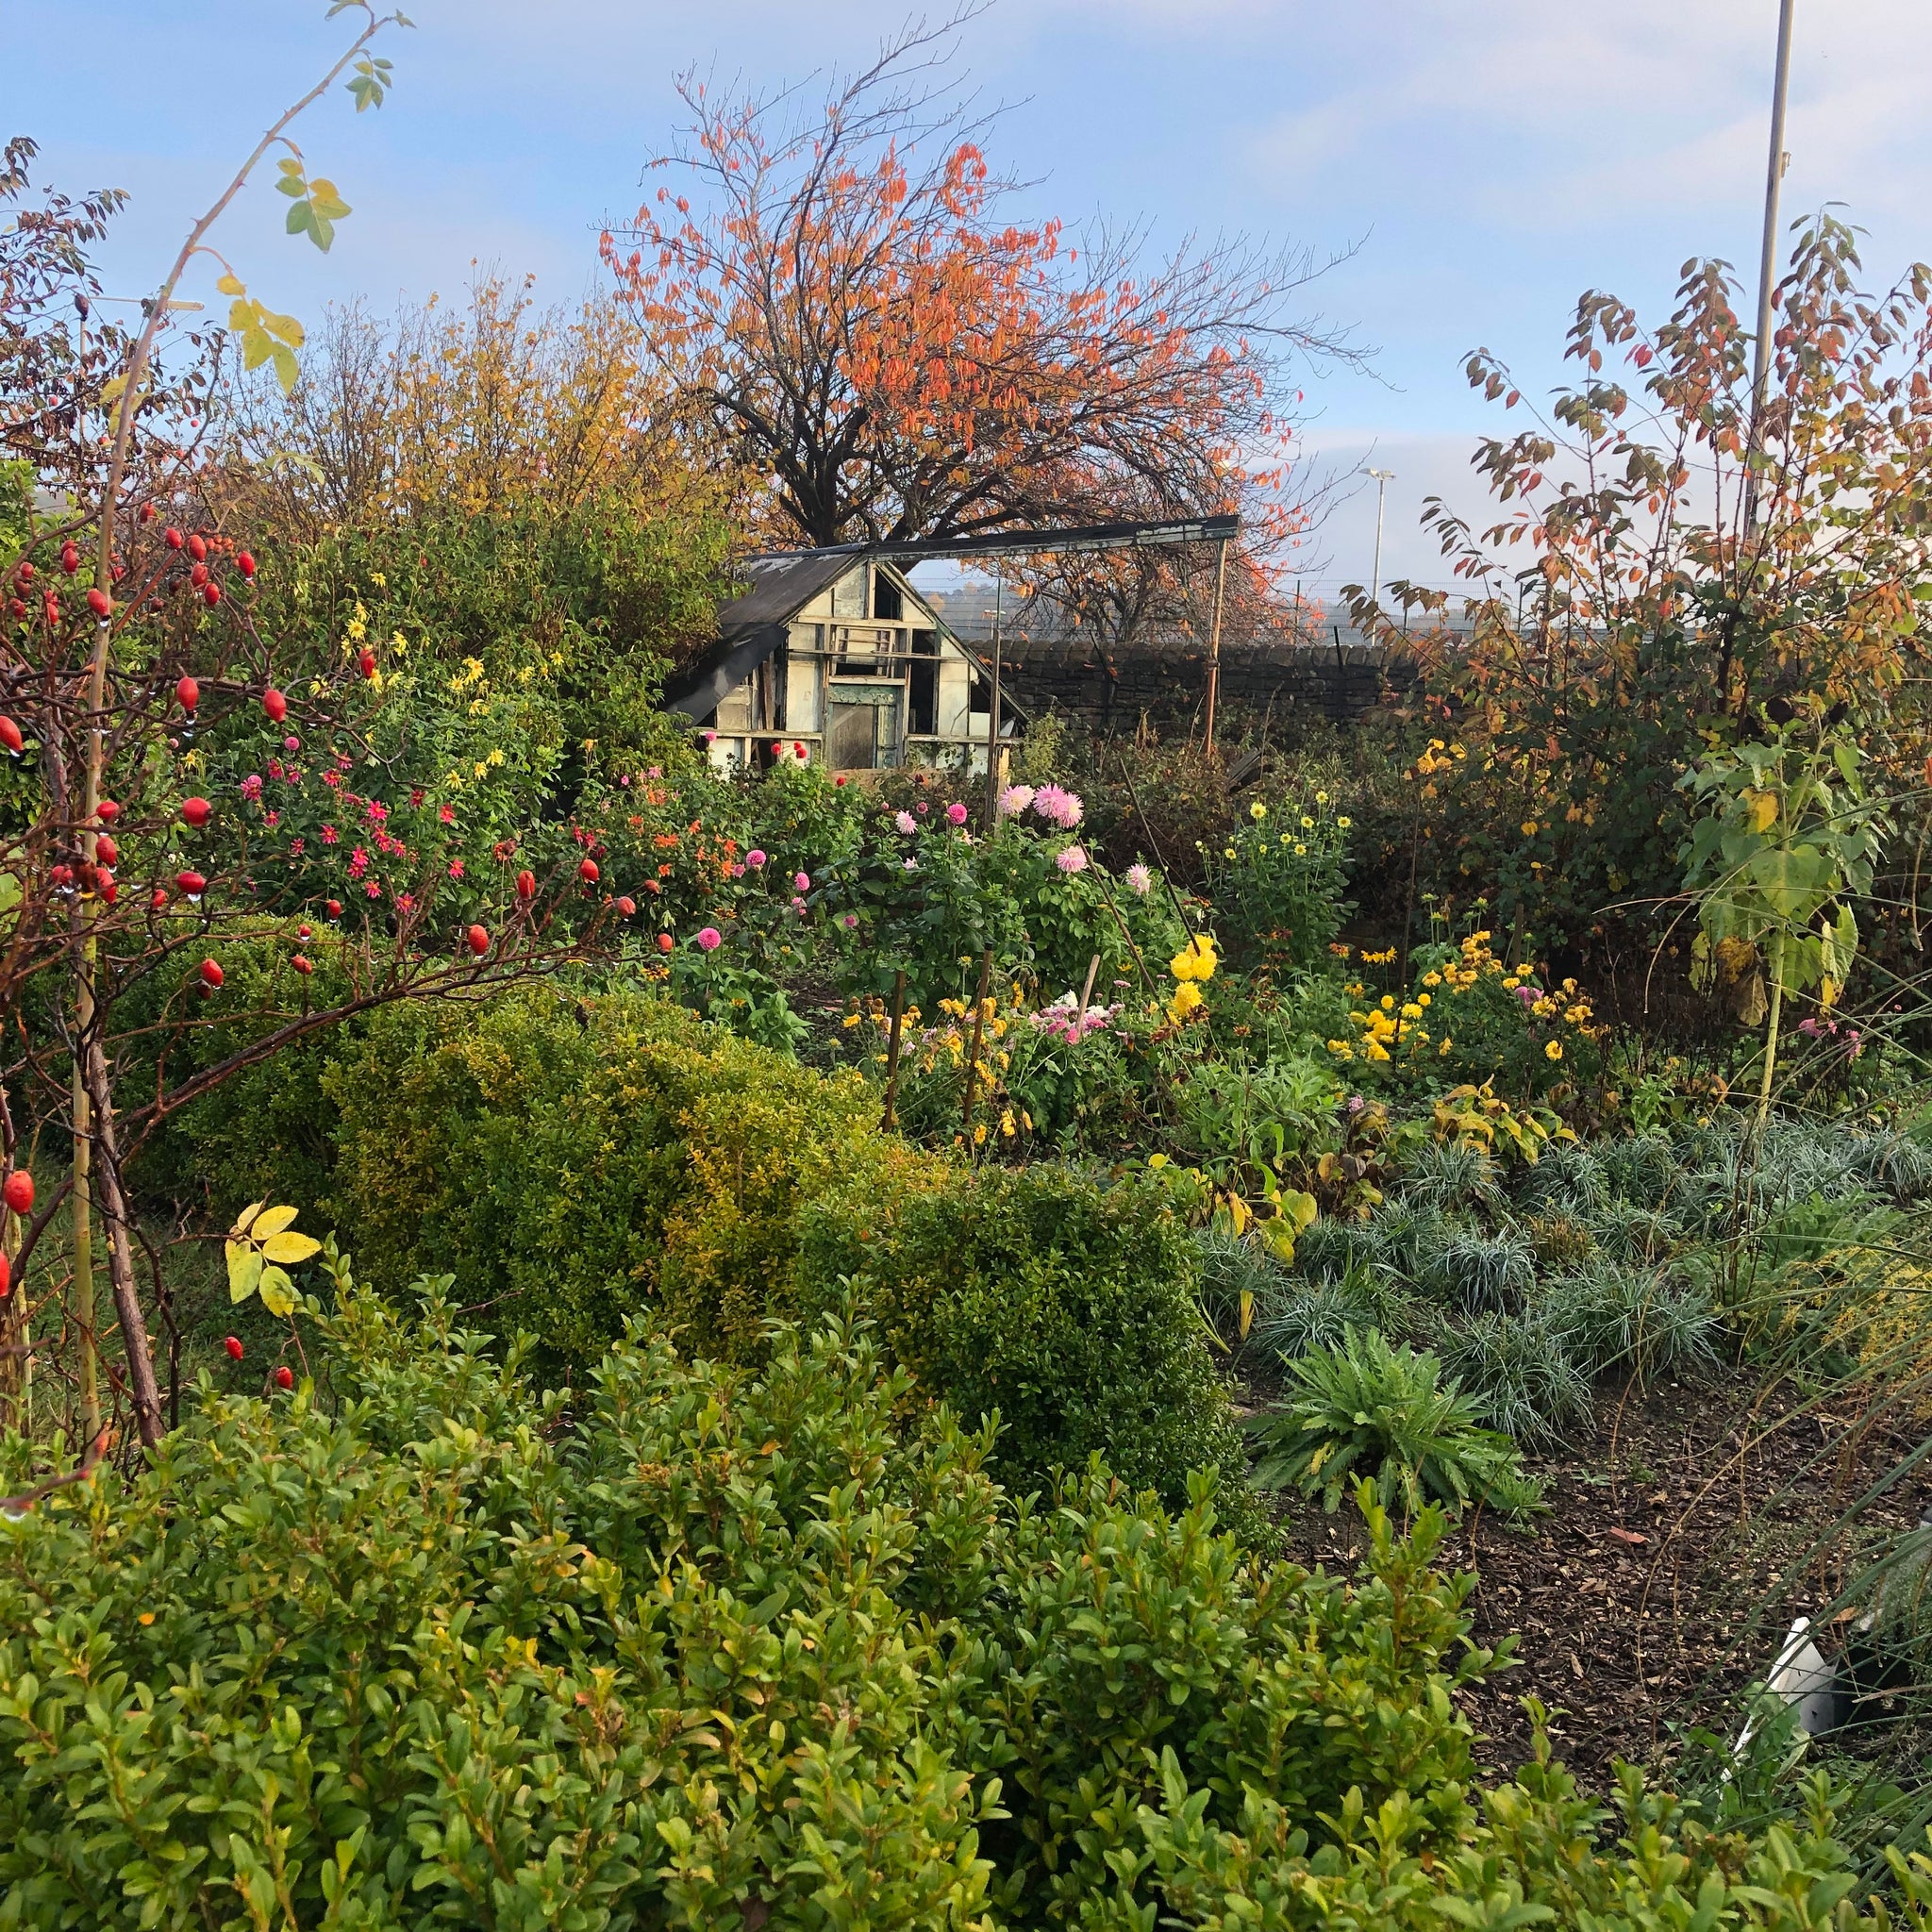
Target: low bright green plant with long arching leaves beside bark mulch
x=1380 y=1413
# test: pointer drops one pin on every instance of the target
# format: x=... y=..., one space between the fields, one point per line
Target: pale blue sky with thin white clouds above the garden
x=1475 y=163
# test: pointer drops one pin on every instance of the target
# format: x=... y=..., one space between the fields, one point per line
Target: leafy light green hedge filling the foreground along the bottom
x=720 y=1649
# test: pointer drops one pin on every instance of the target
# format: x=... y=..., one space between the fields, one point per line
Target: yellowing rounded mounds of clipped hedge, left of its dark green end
x=573 y=1162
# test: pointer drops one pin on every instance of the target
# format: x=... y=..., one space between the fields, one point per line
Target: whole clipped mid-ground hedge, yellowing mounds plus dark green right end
x=581 y=1162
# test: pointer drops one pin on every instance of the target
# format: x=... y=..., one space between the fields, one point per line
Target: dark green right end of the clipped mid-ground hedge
x=1052 y=1297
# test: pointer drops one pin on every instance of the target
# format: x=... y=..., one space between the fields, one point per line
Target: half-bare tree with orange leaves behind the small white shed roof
x=863 y=326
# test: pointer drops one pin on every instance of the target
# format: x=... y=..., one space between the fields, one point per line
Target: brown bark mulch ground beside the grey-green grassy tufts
x=1686 y=1533
